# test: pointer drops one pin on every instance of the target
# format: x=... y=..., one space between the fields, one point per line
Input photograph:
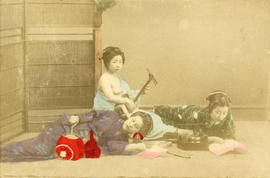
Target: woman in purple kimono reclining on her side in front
x=111 y=132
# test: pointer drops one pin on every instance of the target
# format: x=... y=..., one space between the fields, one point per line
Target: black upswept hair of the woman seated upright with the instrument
x=109 y=53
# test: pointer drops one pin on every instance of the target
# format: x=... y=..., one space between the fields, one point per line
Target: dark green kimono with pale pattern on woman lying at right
x=197 y=119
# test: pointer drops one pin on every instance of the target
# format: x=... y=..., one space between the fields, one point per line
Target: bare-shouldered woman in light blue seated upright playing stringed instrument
x=111 y=86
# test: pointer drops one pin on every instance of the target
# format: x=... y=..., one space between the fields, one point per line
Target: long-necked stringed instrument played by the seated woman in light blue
x=124 y=110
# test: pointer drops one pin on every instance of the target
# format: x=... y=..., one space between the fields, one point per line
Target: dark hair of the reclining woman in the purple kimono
x=147 y=122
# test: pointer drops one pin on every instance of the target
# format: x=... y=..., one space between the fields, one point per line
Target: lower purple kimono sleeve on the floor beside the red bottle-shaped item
x=115 y=147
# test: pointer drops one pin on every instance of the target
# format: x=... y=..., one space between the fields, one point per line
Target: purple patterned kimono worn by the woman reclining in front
x=103 y=123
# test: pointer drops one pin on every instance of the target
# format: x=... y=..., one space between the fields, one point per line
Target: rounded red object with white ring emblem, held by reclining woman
x=70 y=149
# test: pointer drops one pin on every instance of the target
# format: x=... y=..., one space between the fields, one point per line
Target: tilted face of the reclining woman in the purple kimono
x=133 y=124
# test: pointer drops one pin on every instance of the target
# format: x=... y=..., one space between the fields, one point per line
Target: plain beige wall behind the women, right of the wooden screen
x=194 y=47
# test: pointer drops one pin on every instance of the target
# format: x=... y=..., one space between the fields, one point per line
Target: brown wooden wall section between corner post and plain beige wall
x=60 y=56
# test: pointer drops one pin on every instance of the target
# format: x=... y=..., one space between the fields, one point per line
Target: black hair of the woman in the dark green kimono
x=218 y=98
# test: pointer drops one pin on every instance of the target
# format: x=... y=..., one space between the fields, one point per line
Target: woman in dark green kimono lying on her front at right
x=214 y=121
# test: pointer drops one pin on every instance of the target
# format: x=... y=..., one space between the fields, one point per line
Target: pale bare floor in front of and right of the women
x=256 y=163
